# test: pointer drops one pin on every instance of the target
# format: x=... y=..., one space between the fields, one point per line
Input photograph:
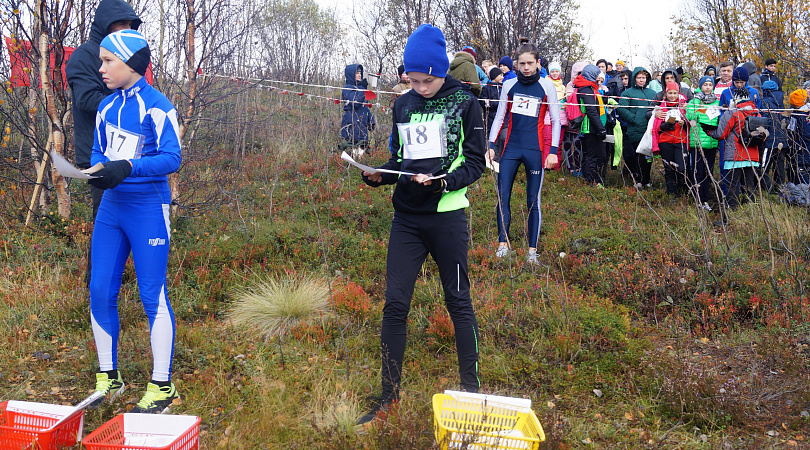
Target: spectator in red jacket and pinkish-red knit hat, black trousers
x=671 y=139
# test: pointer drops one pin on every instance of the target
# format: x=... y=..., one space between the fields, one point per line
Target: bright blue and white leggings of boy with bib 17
x=143 y=229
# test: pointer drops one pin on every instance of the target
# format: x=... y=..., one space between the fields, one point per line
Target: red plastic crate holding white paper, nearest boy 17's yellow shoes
x=146 y=432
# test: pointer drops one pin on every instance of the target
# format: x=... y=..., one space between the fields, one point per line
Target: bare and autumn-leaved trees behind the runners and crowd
x=202 y=48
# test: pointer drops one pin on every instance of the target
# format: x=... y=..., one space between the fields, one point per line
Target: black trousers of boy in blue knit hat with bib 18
x=414 y=236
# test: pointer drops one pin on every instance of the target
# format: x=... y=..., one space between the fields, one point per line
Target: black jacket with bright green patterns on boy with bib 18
x=458 y=109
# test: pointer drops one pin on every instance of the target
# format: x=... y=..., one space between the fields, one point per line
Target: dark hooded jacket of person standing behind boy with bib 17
x=85 y=80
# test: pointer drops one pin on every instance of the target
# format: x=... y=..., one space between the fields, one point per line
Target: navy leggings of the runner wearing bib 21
x=509 y=164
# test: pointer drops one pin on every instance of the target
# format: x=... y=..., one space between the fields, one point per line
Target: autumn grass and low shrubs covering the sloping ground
x=694 y=337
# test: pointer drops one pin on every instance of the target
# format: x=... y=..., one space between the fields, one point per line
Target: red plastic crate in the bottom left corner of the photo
x=28 y=425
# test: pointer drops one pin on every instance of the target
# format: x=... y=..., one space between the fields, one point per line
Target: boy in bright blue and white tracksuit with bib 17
x=137 y=141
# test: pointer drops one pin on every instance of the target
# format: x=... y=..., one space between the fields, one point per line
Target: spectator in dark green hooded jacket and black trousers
x=633 y=106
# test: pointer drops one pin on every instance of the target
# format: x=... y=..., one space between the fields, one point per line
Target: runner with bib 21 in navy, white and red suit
x=526 y=100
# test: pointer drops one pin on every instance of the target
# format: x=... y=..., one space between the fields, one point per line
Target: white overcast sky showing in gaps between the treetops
x=616 y=30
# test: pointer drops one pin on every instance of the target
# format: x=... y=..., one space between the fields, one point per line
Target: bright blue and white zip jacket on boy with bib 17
x=139 y=124
